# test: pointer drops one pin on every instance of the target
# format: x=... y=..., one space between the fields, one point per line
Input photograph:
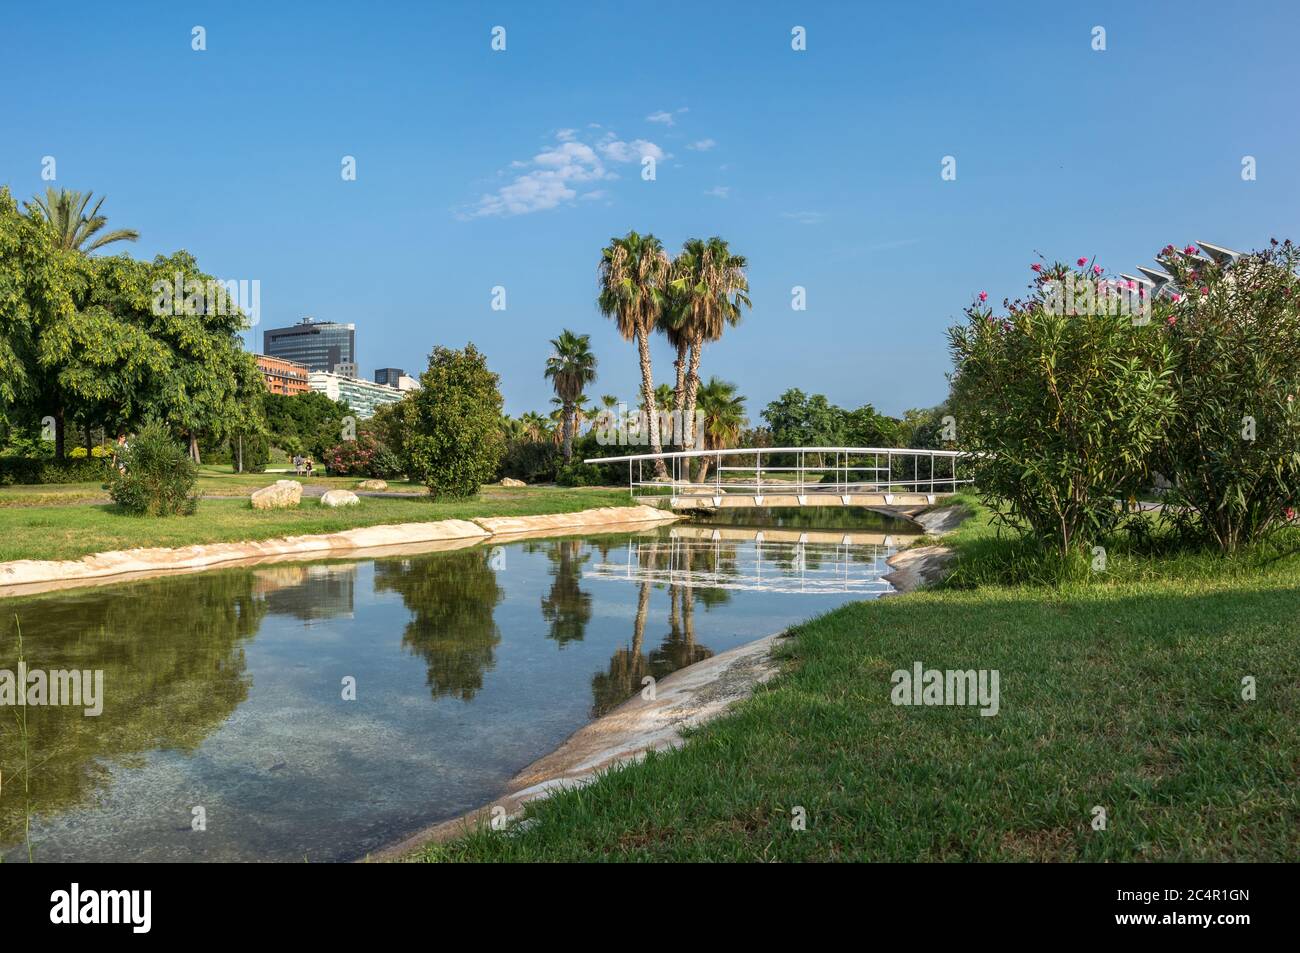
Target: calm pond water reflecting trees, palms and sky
x=224 y=691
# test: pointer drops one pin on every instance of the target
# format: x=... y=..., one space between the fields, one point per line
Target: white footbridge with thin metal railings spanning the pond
x=795 y=471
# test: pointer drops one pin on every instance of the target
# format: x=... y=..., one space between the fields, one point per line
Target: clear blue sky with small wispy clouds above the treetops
x=480 y=168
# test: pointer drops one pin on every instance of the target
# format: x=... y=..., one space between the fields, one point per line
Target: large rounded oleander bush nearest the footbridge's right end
x=1063 y=410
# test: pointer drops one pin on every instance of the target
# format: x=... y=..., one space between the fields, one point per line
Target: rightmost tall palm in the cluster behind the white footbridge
x=714 y=281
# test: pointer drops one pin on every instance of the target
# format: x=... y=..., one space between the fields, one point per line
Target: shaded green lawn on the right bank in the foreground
x=1121 y=690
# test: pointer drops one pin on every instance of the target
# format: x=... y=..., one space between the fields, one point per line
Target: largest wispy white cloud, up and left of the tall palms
x=553 y=177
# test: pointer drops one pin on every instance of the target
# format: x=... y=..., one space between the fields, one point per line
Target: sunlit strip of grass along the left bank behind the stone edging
x=68 y=532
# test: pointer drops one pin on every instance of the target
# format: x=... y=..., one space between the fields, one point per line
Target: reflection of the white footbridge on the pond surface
x=778 y=561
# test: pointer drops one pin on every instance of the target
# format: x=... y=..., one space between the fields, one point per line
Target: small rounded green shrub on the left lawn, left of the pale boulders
x=158 y=478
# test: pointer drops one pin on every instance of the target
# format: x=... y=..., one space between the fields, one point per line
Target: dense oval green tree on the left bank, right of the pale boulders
x=456 y=440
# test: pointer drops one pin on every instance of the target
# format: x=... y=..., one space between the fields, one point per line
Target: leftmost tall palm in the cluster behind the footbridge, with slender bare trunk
x=634 y=281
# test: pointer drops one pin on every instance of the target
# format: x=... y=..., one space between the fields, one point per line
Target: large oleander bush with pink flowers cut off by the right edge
x=1234 y=453
